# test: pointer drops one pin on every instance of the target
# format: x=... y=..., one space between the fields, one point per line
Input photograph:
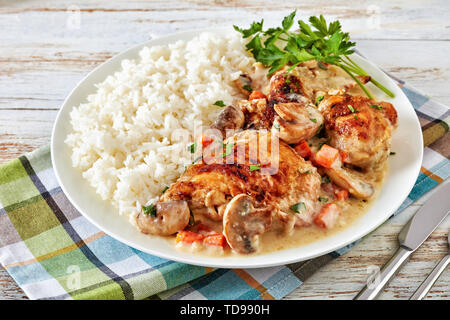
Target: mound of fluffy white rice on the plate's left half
x=126 y=138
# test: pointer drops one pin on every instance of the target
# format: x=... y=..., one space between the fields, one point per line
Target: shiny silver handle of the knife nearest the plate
x=390 y=269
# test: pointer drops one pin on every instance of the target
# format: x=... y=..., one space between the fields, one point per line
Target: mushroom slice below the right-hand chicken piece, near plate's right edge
x=348 y=179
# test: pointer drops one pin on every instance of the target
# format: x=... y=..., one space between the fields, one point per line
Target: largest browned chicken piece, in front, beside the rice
x=272 y=180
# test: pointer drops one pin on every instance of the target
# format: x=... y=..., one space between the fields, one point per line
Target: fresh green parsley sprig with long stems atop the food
x=320 y=41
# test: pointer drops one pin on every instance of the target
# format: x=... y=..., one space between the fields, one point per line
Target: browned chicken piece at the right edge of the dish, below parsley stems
x=359 y=126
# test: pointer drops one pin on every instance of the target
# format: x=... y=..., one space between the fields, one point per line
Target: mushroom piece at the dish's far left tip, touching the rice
x=170 y=217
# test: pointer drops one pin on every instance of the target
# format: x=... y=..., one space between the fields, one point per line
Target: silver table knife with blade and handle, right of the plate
x=413 y=234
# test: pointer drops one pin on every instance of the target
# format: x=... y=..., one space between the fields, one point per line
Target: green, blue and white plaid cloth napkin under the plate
x=53 y=252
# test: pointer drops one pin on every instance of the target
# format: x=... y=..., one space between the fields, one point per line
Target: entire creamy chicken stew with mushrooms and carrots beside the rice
x=302 y=154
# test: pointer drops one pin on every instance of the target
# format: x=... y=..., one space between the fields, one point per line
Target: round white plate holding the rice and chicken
x=403 y=171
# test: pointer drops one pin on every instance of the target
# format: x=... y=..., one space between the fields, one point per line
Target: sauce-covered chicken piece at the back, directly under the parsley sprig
x=308 y=80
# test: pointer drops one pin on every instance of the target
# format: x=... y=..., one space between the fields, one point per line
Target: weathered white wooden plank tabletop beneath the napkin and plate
x=46 y=47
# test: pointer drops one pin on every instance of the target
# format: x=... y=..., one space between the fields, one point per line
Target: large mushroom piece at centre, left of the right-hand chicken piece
x=296 y=122
